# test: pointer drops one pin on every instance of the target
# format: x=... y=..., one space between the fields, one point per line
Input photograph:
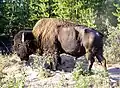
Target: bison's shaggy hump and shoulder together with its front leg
x=45 y=31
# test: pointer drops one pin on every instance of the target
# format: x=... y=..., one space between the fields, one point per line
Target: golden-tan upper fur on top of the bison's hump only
x=48 y=25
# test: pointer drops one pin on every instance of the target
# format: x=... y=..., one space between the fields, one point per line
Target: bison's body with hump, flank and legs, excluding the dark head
x=57 y=36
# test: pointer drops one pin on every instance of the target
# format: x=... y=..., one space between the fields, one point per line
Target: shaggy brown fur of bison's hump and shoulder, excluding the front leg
x=46 y=30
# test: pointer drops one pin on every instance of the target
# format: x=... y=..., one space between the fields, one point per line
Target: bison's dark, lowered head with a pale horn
x=24 y=44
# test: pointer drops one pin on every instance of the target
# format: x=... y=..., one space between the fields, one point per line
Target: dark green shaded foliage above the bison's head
x=16 y=14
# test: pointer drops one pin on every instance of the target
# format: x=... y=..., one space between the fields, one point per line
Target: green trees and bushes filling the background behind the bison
x=103 y=15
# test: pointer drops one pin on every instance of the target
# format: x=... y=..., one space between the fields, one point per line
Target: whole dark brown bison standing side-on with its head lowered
x=53 y=37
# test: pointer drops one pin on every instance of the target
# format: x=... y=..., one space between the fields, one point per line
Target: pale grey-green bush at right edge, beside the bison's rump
x=111 y=50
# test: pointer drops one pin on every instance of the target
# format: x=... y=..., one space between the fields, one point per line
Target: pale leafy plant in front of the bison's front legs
x=39 y=65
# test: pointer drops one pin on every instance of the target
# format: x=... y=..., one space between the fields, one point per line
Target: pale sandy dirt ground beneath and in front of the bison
x=59 y=79
